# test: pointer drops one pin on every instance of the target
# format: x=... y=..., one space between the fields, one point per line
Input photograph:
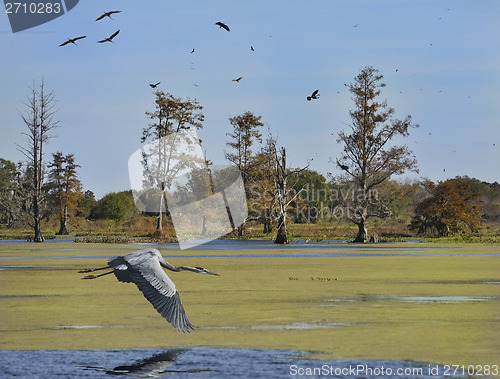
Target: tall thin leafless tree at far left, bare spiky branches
x=39 y=119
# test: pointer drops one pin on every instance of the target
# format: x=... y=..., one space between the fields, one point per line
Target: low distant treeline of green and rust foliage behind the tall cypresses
x=457 y=205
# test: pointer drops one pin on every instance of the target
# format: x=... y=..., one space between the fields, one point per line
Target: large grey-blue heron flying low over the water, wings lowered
x=144 y=268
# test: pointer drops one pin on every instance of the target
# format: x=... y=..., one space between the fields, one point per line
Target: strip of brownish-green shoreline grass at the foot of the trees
x=141 y=228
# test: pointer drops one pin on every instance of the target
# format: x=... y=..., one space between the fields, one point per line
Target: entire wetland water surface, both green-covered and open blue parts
x=273 y=312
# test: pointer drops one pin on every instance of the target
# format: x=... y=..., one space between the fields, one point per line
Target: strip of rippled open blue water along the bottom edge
x=201 y=362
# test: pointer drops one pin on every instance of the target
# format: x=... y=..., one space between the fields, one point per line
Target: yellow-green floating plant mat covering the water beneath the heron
x=423 y=303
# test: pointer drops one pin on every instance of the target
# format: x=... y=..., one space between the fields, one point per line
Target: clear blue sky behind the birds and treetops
x=446 y=53
